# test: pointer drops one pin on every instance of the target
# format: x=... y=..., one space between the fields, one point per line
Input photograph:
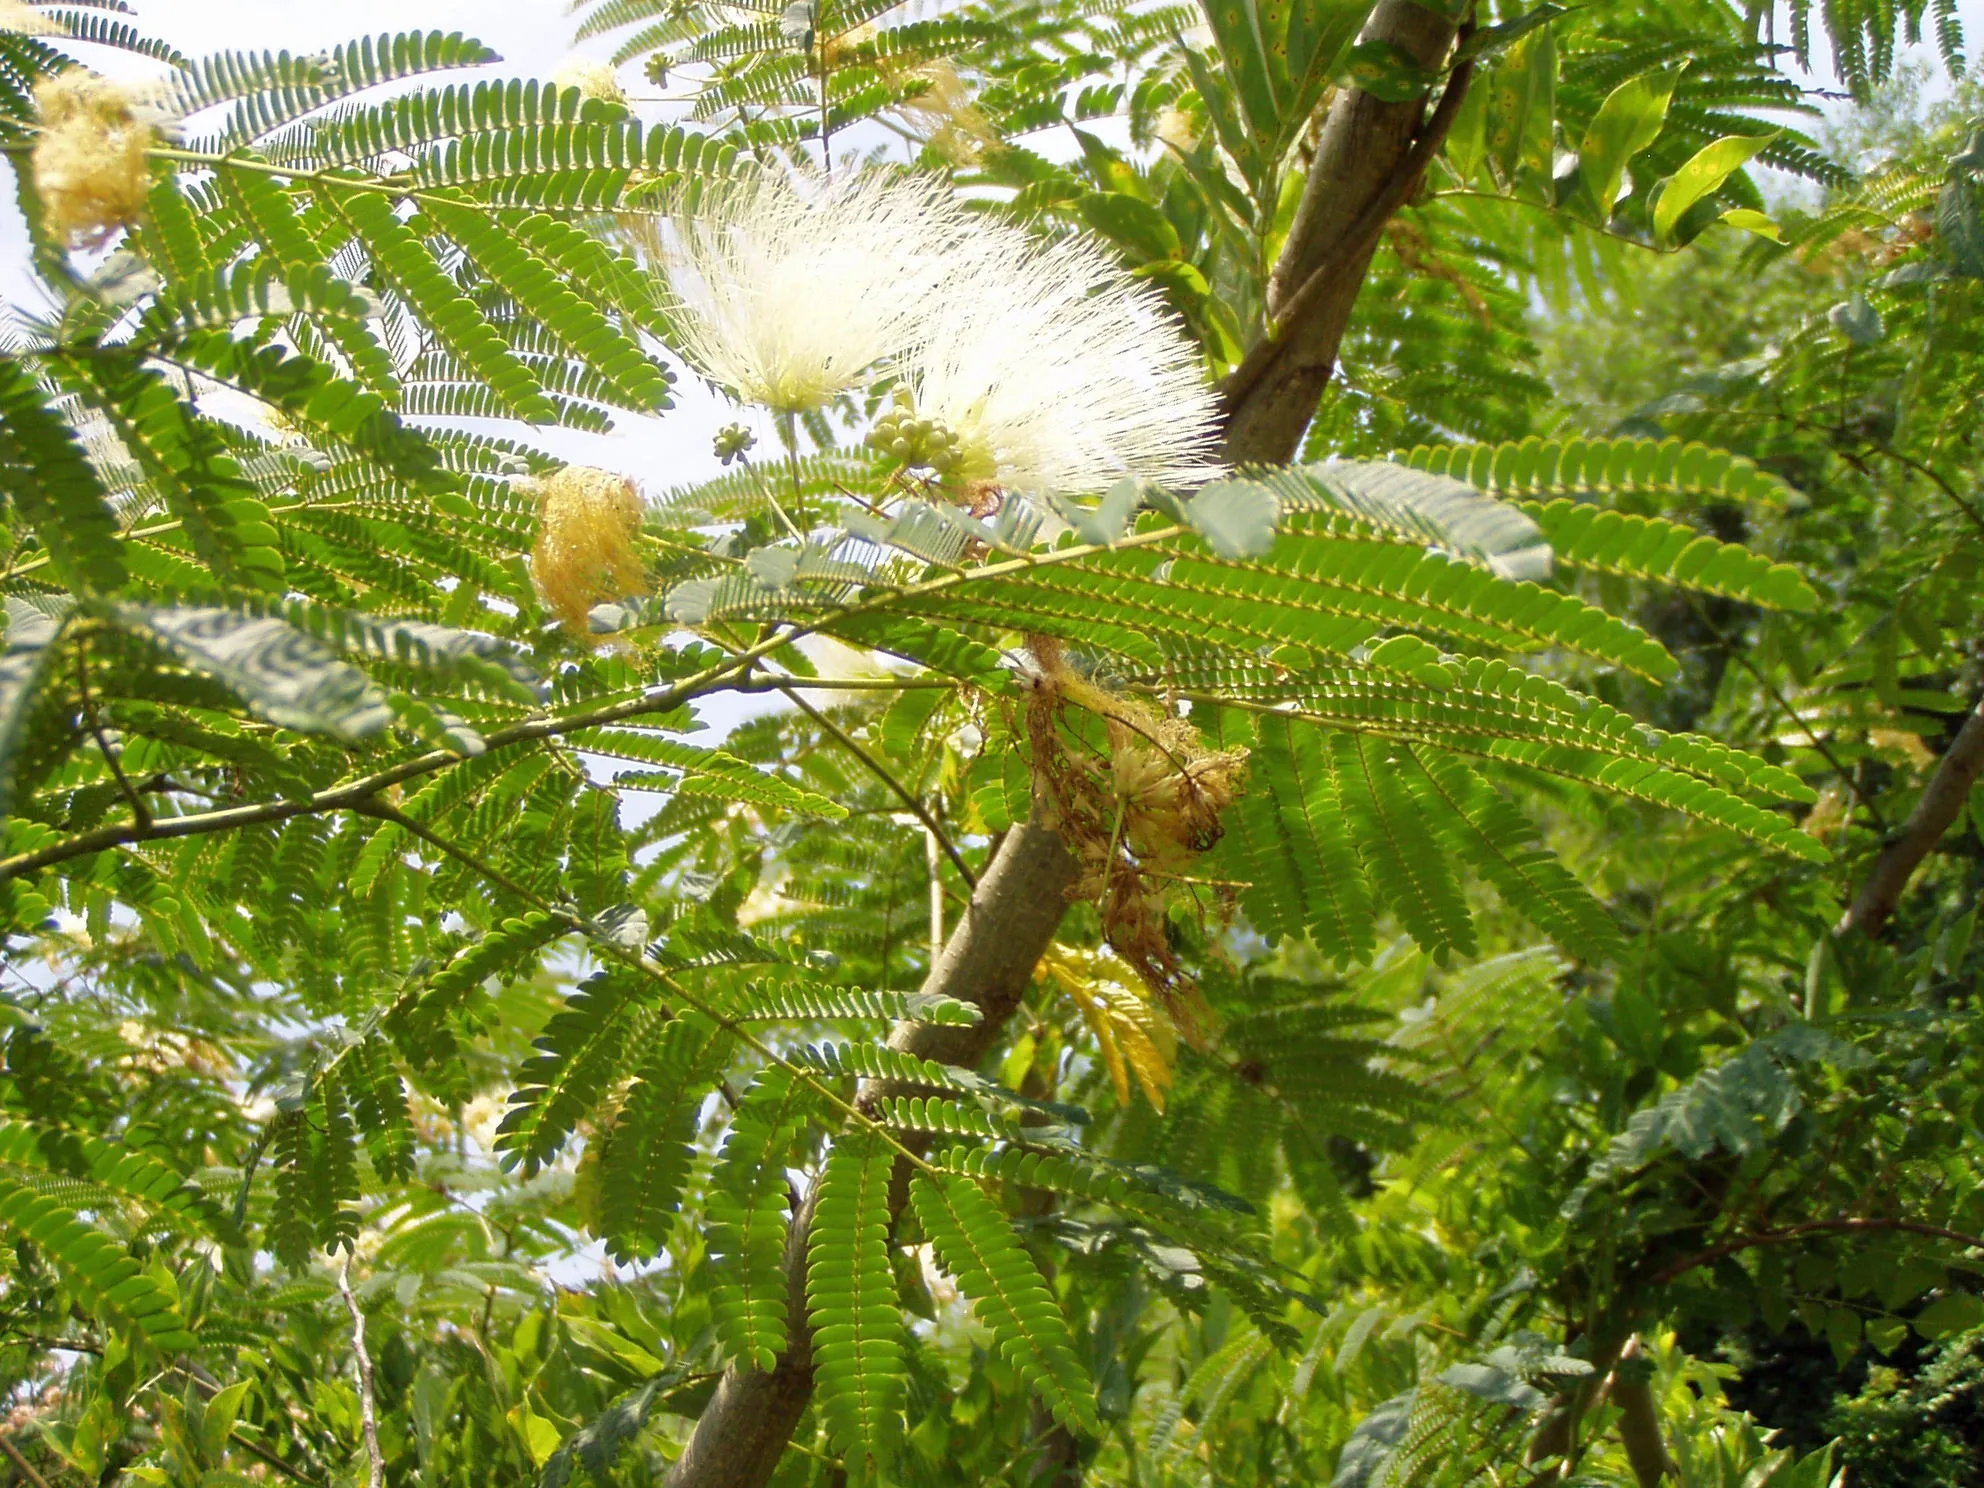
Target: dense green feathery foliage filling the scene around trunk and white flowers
x=422 y=1033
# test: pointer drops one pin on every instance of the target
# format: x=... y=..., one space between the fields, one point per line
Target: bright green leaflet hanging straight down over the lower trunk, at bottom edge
x=860 y=1378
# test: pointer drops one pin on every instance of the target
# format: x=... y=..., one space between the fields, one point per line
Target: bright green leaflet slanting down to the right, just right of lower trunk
x=975 y=1243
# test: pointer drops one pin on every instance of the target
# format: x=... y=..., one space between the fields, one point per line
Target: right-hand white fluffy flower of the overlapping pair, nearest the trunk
x=1060 y=374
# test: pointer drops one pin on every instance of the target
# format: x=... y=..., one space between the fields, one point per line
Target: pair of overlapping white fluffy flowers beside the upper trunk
x=1045 y=362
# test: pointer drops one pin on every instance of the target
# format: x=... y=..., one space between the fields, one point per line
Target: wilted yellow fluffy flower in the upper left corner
x=90 y=164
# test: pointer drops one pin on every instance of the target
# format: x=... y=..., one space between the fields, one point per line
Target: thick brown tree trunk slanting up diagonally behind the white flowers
x=1370 y=160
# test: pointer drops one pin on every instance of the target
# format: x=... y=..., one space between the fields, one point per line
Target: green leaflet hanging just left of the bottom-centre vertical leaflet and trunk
x=747 y=1219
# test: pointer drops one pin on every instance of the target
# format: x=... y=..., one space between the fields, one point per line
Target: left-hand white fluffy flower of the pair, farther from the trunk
x=791 y=291
